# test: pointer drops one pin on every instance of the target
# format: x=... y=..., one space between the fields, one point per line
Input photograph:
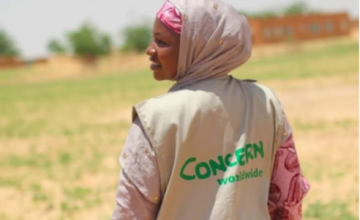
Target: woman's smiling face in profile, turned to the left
x=164 y=52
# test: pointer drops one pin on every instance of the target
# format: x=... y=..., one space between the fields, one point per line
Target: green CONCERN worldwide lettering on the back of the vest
x=241 y=157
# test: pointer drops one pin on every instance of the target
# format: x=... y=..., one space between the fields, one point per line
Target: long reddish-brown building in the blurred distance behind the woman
x=299 y=27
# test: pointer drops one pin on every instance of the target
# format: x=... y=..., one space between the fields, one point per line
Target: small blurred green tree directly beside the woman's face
x=136 y=38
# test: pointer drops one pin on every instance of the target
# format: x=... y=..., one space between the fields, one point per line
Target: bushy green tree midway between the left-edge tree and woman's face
x=89 y=42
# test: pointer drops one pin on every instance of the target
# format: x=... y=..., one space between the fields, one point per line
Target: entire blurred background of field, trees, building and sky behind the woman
x=71 y=70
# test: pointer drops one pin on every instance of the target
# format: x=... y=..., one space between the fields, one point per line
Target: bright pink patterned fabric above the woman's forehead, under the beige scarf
x=170 y=16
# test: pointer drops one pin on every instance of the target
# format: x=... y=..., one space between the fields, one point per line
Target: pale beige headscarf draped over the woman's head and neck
x=215 y=39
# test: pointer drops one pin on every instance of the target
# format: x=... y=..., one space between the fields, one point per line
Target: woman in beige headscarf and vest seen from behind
x=213 y=147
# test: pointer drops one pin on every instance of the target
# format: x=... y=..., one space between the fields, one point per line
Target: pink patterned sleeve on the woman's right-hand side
x=288 y=186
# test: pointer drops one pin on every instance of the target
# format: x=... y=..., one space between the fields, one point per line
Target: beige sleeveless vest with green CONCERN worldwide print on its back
x=215 y=143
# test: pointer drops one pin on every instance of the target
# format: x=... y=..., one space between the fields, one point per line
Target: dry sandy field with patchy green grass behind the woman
x=60 y=139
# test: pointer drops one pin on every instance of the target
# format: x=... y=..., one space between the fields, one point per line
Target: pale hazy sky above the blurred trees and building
x=32 y=23
